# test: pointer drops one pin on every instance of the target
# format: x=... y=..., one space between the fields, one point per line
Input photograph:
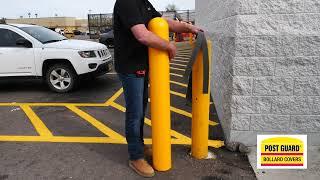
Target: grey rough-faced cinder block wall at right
x=266 y=66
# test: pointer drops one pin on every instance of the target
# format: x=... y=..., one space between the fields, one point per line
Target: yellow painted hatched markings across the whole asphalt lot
x=112 y=137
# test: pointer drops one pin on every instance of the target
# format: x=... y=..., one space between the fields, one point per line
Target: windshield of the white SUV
x=43 y=35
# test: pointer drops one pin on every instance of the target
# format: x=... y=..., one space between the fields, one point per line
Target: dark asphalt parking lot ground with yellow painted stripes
x=80 y=135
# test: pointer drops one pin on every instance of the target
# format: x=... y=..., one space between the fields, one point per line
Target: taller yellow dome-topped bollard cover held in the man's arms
x=160 y=98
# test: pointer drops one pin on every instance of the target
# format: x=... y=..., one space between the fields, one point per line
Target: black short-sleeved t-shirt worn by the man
x=130 y=55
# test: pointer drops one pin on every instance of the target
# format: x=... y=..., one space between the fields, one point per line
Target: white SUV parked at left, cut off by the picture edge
x=35 y=51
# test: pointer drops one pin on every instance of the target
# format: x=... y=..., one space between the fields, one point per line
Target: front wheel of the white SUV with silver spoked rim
x=61 y=78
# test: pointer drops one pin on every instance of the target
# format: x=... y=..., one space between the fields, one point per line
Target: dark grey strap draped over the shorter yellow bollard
x=201 y=44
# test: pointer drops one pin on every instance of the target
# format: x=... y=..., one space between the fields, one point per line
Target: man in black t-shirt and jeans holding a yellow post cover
x=132 y=40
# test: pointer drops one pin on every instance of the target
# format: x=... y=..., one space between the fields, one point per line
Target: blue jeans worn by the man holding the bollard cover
x=136 y=97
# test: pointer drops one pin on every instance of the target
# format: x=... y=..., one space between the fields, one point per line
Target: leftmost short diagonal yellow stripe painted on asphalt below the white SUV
x=40 y=127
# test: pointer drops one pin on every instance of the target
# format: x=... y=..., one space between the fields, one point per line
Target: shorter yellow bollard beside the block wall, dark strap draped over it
x=200 y=110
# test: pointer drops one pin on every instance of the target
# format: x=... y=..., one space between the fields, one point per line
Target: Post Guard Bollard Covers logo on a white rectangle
x=282 y=151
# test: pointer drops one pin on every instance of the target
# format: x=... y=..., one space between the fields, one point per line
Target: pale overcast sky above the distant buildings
x=73 y=8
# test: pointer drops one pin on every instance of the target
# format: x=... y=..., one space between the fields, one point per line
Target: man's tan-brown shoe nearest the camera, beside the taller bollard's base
x=142 y=167
